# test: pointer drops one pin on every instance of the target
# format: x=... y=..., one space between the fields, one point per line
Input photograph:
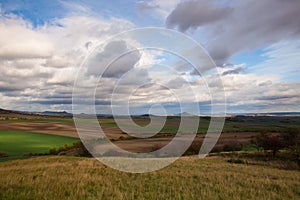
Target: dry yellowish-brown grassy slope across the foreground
x=187 y=178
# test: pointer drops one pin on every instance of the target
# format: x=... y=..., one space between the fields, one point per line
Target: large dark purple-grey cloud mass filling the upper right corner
x=247 y=25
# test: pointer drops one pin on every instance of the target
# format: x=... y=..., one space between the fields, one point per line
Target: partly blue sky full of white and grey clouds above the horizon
x=46 y=45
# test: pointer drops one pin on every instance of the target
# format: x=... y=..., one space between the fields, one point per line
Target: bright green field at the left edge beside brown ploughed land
x=18 y=143
